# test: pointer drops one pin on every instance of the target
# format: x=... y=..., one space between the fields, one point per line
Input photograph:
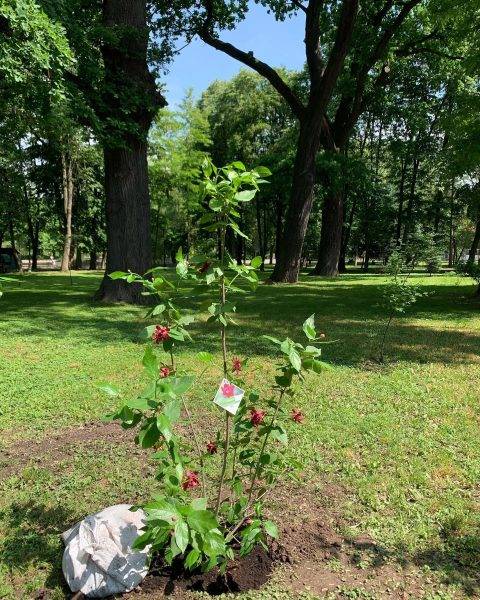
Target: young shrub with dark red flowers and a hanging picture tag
x=228 y=516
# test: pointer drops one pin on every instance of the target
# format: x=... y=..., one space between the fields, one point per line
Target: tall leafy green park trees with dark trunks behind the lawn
x=372 y=146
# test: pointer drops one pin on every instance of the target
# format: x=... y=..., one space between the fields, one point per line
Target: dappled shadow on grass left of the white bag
x=33 y=539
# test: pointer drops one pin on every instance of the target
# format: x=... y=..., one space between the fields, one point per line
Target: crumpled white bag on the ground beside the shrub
x=98 y=559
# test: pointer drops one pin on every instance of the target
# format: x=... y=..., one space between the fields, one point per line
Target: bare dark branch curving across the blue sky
x=248 y=59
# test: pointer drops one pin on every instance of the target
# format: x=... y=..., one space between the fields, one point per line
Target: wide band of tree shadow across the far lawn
x=349 y=313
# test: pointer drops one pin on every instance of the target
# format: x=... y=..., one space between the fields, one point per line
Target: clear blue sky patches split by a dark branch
x=279 y=44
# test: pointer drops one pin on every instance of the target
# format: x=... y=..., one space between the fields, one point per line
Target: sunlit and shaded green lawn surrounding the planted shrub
x=401 y=440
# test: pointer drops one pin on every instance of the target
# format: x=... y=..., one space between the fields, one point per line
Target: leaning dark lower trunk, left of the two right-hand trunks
x=296 y=221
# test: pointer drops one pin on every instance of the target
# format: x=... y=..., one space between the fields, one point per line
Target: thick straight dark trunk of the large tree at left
x=129 y=90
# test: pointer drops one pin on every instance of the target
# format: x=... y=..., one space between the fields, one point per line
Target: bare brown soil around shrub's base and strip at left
x=312 y=554
